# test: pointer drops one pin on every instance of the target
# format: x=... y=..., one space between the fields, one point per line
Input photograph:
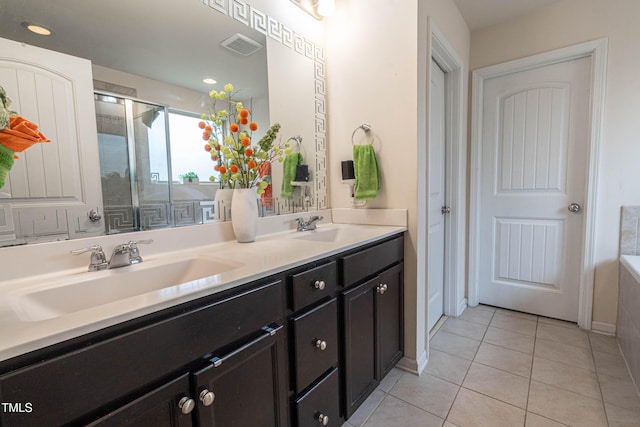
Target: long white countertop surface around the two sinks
x=269 y=254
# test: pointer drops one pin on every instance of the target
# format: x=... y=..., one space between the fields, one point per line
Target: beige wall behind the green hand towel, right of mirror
x=372 y=78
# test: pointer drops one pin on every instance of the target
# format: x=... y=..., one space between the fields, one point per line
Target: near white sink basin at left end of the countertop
x=92 y=289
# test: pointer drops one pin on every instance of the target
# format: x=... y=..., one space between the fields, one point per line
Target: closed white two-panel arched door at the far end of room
x=534 y=166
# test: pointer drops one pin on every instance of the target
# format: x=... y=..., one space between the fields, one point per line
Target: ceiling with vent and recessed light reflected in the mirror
x=176 y=42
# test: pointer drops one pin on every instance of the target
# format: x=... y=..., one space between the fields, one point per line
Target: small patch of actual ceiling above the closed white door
x=483 y=13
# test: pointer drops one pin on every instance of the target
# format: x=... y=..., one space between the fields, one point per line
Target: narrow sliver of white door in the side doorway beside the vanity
x=437 y=198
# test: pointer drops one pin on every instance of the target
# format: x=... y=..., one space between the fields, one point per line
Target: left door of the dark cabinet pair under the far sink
x=359 y=344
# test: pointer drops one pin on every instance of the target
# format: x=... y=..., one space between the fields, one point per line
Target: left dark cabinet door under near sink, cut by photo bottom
x=164 y=406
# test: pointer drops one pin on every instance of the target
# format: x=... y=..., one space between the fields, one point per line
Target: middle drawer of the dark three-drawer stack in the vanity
x=315 y=335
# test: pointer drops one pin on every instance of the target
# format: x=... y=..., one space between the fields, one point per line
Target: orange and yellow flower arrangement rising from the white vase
x=238 y=159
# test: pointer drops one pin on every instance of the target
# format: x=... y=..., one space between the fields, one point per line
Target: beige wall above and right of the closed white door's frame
x=563 y=24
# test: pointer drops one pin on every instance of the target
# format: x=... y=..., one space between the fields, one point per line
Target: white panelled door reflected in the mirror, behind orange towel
x=53 y=185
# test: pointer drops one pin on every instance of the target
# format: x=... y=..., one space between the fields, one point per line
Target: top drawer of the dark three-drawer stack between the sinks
x=312 y=285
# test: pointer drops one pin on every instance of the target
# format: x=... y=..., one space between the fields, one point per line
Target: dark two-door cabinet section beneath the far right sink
x=372 y=316
